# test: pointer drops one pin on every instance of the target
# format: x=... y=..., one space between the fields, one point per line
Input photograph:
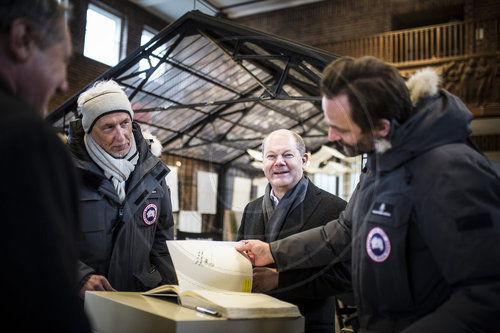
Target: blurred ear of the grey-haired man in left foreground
x=21 y=39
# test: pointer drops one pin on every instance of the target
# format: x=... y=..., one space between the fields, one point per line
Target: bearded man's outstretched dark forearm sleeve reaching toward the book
x=321 y=246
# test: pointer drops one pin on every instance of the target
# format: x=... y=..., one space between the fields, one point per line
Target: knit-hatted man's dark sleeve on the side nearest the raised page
x=160 y=256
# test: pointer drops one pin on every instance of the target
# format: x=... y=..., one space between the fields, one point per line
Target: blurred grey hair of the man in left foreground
x=47 y=17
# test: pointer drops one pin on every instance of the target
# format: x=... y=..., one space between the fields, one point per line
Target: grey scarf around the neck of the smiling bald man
x=274 y=217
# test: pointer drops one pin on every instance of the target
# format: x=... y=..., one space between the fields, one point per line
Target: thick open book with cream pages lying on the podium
x=215 y=279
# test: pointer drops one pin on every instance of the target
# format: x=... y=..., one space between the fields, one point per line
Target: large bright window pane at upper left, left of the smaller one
x=102 y=36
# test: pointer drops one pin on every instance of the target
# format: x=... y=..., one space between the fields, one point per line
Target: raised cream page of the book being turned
x=211 y=265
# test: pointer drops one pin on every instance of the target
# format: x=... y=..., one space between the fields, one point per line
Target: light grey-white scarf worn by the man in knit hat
x=117 y=170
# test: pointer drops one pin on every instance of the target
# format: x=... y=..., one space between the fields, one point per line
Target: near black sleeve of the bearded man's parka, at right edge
x=460 y=221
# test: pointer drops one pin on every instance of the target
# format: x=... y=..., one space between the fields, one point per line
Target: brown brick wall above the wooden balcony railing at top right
x=322 y=23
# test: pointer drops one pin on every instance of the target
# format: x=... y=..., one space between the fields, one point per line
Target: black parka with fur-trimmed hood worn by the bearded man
x=424 y=229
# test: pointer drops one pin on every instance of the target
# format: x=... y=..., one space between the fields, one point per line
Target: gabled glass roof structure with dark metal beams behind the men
x=210 y=89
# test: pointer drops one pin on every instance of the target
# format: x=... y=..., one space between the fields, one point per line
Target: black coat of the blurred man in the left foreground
x=39 y=226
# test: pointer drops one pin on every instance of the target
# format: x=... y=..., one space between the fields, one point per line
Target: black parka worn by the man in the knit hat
x=124 y=242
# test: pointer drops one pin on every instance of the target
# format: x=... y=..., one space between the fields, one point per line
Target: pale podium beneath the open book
x=131 y=312
